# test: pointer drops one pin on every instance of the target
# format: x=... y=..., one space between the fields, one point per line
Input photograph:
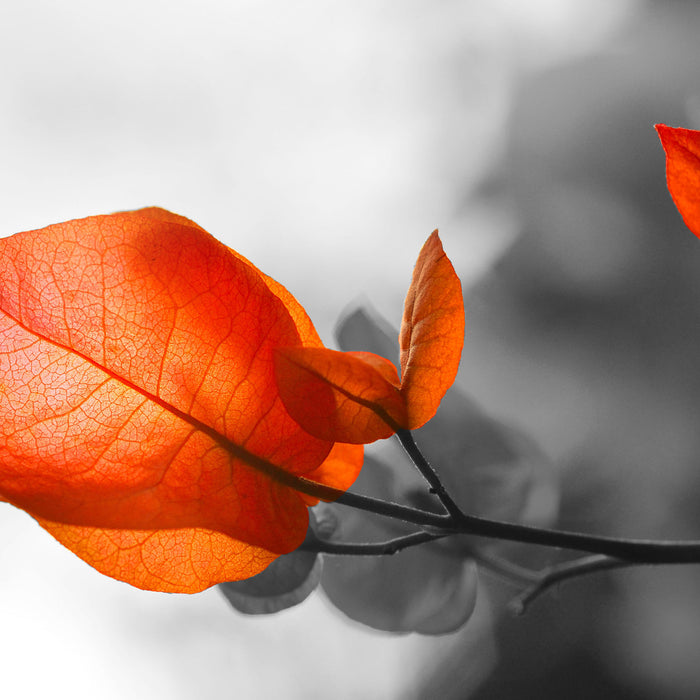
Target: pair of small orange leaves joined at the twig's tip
x=357 y=397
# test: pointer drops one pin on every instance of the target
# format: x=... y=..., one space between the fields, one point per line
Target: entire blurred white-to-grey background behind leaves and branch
x=325 y=141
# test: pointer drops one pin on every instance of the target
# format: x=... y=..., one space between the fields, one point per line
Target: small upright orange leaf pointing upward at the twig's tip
x=432 y=333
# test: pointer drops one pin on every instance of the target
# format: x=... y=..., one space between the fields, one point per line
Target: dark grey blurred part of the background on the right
x=587 y=331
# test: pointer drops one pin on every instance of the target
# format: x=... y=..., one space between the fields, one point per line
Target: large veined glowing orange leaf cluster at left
x=138 y=395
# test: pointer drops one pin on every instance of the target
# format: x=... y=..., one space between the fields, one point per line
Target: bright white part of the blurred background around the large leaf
x=322 y=140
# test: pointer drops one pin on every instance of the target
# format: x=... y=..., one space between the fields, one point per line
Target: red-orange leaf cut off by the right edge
x=682 y=147
